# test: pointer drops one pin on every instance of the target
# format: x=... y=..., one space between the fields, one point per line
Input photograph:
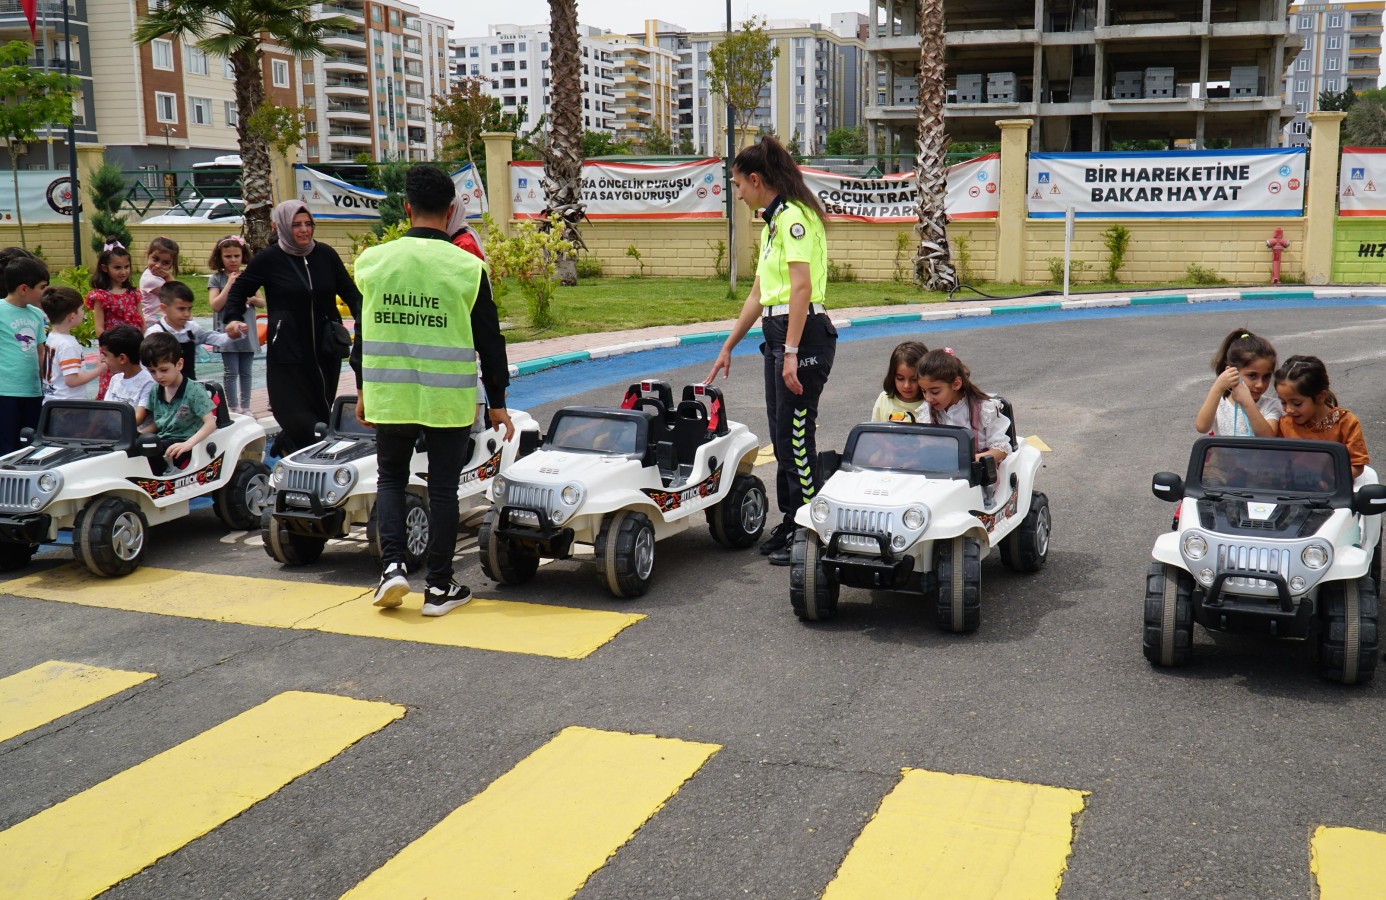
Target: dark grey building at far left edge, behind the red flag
x=55 y=55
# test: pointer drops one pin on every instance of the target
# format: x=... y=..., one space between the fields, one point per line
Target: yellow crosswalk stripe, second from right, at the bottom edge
x=961 y=837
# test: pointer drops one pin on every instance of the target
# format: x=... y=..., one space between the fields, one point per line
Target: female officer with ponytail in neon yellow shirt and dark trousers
x=800 y=340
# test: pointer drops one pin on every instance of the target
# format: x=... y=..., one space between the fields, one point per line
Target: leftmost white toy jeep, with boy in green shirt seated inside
x=89 y=471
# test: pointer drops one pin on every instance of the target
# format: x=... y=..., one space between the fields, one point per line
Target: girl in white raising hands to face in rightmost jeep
x=1241 y=401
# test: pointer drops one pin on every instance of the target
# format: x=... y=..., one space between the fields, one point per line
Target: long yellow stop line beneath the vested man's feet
x=507 y=626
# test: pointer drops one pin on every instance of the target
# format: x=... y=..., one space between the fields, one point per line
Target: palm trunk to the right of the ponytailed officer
x=933 y=260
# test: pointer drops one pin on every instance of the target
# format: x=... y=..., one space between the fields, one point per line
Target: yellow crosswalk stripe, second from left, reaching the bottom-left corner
x=112 y=831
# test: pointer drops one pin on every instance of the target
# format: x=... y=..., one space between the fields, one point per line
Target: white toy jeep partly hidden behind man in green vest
x=325 y=490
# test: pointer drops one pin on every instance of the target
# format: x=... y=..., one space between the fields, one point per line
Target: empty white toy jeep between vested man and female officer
x=623 y=479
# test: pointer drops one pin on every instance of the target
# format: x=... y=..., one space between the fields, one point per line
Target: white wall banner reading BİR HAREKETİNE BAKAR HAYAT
x=1177 y=184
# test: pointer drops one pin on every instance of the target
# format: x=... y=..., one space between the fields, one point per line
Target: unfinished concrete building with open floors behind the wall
x=1090 y=71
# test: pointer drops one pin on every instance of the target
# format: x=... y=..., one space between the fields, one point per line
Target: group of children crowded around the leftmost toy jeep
x=146 y=338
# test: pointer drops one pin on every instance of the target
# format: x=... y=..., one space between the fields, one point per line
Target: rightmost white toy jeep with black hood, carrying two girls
x=1270 y=539
